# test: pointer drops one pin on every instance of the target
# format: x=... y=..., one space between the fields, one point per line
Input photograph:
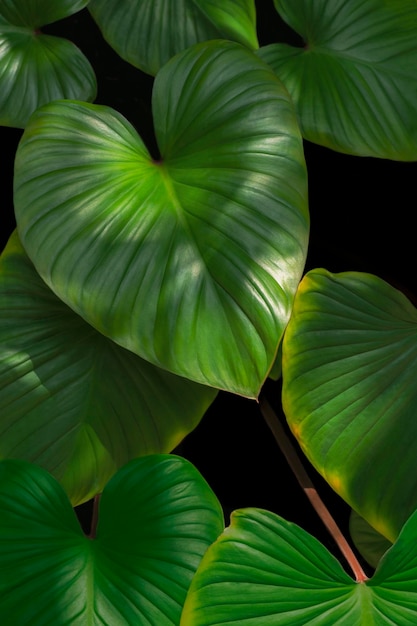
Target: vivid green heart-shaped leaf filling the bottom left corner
x=157 y=518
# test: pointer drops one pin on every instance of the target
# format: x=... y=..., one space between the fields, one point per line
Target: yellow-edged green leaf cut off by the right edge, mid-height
x=349 y=393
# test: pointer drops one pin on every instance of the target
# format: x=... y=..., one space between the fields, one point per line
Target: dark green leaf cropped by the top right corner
x=353 y=84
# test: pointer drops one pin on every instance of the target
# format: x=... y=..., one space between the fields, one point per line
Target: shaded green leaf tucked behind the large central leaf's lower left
x=73 y=401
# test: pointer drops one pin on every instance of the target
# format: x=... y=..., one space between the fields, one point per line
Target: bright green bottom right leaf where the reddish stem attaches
x=264 y=571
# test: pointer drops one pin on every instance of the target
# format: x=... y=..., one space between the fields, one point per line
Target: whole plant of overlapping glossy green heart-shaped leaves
x=138 y=283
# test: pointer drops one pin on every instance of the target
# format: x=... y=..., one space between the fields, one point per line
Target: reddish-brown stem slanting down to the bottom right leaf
x=305 y=482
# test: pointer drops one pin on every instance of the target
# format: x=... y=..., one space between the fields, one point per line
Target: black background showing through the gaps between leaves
x=362 y=218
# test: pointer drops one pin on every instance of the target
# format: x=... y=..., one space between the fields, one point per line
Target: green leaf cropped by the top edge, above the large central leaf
x=147 y=33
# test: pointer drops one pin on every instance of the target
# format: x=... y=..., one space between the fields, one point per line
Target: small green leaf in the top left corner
x=37 y=68
